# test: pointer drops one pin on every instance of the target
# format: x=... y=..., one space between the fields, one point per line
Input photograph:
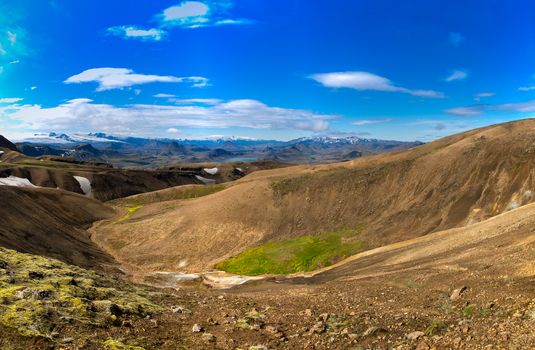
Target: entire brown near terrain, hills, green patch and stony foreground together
x=442 y=257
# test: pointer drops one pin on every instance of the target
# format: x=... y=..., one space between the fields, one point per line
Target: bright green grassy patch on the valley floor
x=306 y=253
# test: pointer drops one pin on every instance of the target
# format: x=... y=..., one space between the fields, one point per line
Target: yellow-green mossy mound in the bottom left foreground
x=39 y=294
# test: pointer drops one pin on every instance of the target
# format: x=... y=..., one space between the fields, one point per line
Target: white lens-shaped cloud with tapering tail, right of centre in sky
x=367 y=81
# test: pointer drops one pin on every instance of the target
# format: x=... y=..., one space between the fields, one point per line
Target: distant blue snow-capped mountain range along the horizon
x=151 y=152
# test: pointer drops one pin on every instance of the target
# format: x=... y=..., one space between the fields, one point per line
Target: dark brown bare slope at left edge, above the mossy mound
x=52 y=223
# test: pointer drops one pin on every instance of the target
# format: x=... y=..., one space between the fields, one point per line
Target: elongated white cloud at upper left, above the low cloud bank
x=117 y=78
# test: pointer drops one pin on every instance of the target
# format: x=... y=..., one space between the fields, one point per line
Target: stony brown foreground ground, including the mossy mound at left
x=422 y=310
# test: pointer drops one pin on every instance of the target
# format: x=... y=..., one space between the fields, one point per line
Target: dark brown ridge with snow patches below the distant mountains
x=108 y=183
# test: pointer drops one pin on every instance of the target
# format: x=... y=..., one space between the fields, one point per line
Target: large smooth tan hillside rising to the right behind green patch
x=452 y=182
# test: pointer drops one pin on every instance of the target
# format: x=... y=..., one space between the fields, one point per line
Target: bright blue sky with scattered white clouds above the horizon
x=277 y=69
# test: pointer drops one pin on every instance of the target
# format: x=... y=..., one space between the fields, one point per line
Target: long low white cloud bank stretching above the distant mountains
x=147 y=119
